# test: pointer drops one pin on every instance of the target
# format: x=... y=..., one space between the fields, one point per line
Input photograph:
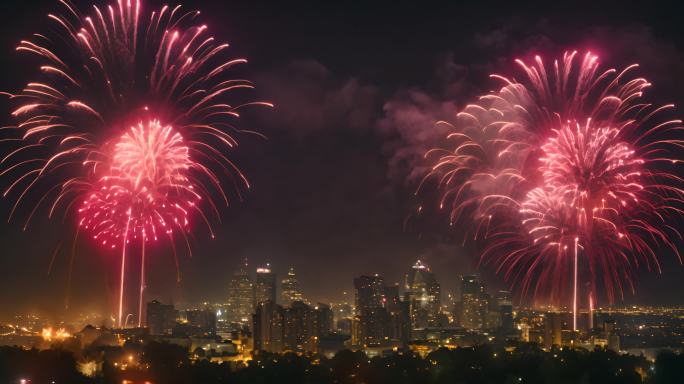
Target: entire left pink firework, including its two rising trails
x=127 y=125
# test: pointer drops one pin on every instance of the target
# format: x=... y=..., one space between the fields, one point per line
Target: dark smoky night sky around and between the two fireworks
x=357 y=87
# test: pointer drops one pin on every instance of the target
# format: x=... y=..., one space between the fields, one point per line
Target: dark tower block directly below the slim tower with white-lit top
x=267 y=324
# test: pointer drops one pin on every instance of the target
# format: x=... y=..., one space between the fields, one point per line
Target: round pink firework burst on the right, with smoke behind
x=568 y=163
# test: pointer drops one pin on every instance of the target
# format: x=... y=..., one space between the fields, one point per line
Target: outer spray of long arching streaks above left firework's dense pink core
x=110 y=70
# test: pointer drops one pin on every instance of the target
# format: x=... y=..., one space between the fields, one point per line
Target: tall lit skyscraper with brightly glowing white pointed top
x=423 y=294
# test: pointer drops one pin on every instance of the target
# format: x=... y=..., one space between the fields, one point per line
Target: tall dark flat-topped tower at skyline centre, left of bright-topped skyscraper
x=370 y=310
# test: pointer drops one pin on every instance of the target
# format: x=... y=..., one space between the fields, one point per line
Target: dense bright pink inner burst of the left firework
x=147 y=191
